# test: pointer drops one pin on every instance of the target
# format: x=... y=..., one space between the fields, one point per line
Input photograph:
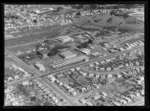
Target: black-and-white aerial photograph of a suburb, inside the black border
x=74 y=55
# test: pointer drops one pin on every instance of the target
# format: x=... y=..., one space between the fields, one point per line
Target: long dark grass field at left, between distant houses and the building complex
x=35 y=35
